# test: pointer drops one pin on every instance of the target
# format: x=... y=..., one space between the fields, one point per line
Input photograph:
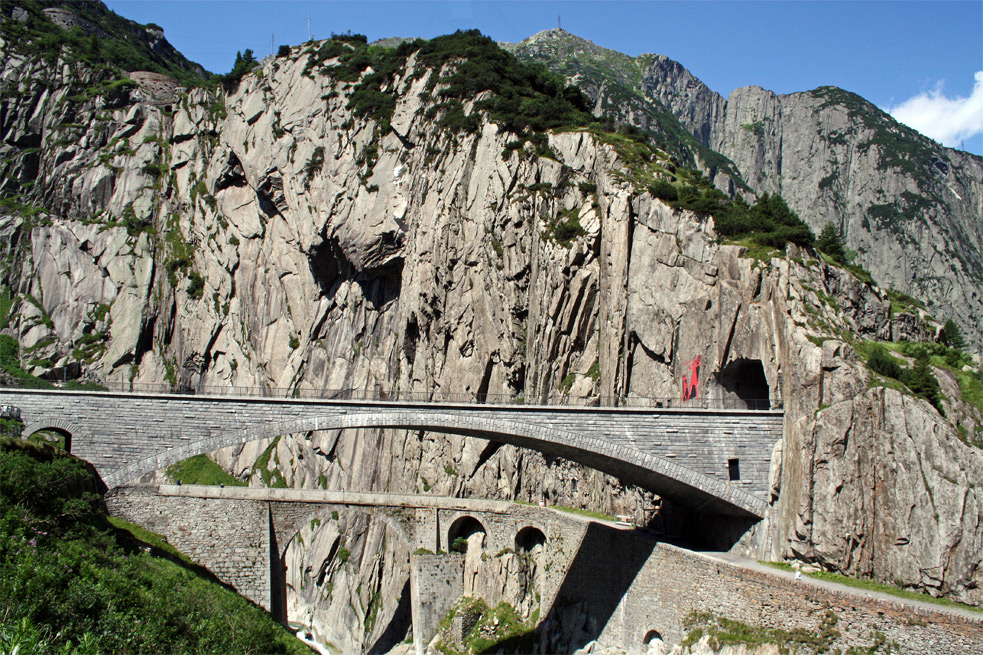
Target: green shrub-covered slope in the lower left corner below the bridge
x=71 y=582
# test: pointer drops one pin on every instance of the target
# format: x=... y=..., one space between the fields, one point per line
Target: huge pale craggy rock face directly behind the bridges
x=274 y=236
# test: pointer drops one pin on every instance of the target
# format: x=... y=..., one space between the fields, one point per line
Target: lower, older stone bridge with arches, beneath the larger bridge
x=242 y=535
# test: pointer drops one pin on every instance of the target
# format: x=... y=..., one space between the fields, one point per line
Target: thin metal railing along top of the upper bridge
x=400 y=395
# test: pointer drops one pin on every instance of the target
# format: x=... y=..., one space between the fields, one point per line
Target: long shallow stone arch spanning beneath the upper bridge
x=629 y=464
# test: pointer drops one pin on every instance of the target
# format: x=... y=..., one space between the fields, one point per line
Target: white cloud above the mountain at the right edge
x=947 y=120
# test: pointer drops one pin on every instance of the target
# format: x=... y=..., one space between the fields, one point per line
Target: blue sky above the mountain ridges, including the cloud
x=918 y=59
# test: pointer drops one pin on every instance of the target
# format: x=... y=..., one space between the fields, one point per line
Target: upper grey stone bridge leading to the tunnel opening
x=716 y=461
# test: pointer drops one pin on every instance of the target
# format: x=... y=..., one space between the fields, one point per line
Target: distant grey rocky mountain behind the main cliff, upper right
x=909 y=207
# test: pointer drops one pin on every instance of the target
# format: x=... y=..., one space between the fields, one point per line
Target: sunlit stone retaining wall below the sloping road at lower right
x=674 y=582
